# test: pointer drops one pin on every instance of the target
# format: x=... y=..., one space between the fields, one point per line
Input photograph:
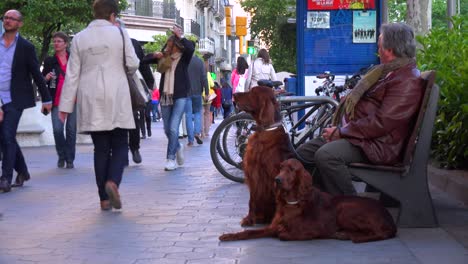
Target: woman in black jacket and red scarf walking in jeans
x=54 y=71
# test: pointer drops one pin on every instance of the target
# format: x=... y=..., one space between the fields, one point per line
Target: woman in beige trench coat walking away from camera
x=97 y=82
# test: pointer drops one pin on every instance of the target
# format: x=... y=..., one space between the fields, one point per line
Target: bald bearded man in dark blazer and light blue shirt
x=18 y=62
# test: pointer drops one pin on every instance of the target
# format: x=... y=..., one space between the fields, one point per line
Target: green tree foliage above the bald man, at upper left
x=44 y=17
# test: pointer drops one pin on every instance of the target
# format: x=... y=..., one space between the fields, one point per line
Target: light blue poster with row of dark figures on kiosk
x=364 y=26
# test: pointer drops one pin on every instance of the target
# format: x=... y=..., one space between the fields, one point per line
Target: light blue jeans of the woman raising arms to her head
x=172 y=115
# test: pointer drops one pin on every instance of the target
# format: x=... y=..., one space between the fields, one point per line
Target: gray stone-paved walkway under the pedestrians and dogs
x=176 y=217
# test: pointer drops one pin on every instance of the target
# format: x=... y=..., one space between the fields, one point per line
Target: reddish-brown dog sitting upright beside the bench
x=266 y=149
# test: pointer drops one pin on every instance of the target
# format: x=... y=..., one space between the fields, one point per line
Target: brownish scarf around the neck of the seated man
x=346 y=107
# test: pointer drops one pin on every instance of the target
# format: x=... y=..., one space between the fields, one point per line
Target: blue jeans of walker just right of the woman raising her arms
x=193 y=116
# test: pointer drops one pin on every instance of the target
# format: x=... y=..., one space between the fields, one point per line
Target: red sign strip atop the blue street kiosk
x=340 y=4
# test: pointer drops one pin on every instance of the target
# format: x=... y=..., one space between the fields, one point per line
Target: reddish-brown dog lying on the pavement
x=303 y=212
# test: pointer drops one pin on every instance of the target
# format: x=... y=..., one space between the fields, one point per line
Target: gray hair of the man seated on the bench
x=399 y=37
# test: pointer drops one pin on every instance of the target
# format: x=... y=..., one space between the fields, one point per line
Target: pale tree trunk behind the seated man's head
x=418 y=15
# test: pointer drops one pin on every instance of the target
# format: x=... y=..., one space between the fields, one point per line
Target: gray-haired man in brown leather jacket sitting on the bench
x=372 y=123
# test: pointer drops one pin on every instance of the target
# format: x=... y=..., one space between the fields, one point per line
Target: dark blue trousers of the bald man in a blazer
x=12 y=156
